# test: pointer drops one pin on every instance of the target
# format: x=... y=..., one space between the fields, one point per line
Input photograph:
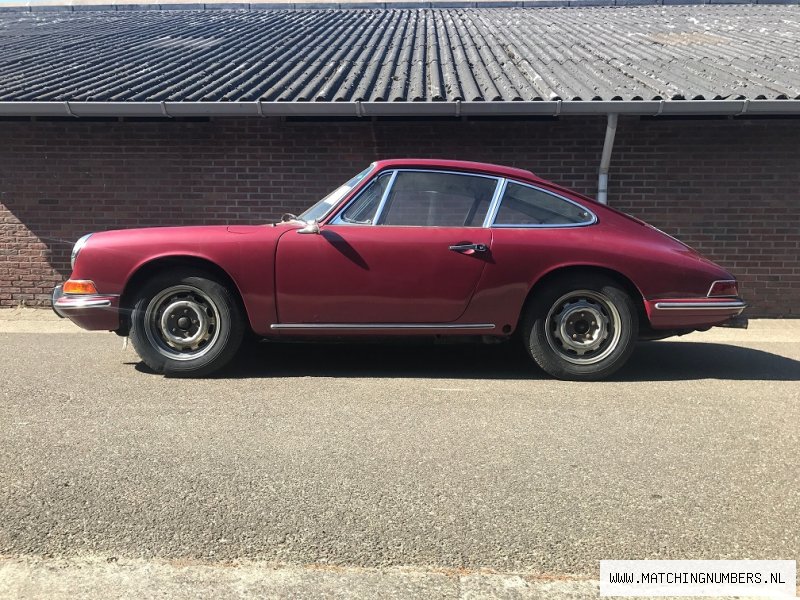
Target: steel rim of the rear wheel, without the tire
x=583 y=327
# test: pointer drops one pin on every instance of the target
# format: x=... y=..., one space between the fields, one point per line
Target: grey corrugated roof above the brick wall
x=398 y=55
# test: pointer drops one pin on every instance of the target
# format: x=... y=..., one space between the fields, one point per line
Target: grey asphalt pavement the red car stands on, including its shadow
x=439 y=459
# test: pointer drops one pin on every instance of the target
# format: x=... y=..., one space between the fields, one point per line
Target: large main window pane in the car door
x=434 y=199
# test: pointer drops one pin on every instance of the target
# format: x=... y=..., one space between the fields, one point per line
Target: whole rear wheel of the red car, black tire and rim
x=581 y=328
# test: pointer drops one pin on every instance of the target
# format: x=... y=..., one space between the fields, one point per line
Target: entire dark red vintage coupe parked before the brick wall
x=407 y=247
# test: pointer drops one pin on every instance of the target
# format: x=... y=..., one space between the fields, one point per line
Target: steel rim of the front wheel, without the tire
x=182 y=322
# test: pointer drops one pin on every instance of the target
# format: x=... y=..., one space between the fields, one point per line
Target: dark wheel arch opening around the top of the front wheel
x=161 y=264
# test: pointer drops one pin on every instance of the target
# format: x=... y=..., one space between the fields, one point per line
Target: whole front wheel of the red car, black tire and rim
x=186 y=323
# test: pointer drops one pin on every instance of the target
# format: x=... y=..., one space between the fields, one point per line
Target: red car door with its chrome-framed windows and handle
x=410 y=248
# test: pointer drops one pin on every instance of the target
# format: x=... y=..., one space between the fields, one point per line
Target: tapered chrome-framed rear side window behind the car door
x=522 y=205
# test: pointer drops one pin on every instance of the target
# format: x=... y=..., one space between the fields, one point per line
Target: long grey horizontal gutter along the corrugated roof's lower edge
x=399 y=109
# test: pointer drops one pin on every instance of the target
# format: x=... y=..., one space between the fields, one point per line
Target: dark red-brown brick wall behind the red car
x=729 y=188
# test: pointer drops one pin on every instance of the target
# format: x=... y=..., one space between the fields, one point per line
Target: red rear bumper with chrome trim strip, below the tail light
x=695 y=313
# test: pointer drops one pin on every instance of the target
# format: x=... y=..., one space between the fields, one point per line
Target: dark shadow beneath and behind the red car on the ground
x=651 y=361
